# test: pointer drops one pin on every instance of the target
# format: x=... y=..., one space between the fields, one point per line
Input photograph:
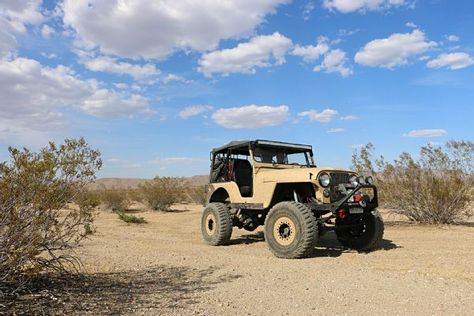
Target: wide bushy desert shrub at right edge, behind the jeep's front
x=436 y=188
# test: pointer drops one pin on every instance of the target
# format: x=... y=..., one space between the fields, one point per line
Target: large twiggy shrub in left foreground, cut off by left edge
x=37 y=231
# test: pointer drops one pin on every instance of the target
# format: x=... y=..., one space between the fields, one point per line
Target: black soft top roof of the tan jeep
x=242 y=146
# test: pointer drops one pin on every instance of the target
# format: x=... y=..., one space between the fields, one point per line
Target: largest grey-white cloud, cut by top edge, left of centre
x=155 y=29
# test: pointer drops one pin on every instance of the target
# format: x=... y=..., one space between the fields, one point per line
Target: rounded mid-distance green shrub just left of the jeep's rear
x=161 y=192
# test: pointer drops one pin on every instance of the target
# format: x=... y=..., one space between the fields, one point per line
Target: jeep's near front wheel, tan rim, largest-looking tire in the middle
x=291 y=230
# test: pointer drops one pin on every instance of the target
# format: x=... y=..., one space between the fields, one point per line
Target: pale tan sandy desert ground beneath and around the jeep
x=164 y=268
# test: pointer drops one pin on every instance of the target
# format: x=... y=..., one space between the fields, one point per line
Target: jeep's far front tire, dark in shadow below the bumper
x=365 y=237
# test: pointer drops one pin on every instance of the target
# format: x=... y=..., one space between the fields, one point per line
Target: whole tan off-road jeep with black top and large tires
x=277 y=185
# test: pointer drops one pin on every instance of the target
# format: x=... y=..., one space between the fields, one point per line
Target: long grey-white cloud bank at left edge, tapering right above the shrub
x=34 y=96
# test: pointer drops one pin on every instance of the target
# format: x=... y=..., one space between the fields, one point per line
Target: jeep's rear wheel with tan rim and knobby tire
x=216 y=224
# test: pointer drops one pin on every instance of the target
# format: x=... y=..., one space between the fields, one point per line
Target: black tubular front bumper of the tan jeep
x=344 y=203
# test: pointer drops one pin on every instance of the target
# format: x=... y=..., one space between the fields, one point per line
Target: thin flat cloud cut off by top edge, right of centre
x=346 y=6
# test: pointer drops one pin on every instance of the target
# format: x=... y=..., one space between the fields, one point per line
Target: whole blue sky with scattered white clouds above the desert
x=156 y=84
